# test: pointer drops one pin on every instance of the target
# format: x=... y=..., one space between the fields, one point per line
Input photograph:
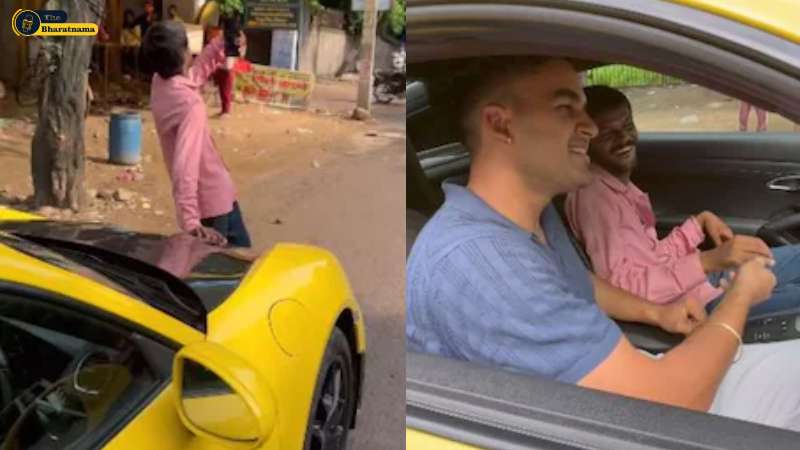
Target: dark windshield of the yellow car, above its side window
x=128 y=276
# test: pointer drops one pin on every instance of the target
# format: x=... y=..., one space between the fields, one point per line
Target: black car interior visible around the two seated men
x=745 y=178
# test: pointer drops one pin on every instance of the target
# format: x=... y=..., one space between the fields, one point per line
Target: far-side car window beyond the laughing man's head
x=662 y=103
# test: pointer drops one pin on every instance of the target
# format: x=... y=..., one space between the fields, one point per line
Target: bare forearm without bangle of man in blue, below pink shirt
x=622 y=305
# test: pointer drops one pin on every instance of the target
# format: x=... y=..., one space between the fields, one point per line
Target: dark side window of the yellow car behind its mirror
x=66 y=379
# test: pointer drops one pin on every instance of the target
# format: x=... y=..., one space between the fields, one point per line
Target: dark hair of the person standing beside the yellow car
x=164 y=48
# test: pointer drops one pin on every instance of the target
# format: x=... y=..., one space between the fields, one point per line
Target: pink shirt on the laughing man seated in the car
x=616 y=223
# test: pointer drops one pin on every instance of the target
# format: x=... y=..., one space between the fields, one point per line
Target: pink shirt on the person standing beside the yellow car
x=201 y=184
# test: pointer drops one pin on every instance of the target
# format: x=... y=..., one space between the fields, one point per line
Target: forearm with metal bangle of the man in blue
x=695 y=368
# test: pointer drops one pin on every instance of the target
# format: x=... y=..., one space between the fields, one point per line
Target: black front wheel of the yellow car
x=328 y=427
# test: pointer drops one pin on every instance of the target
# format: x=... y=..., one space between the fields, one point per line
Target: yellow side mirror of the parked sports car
x=221 y=396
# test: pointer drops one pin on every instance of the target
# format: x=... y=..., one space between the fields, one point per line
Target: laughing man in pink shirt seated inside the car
x=615 y=221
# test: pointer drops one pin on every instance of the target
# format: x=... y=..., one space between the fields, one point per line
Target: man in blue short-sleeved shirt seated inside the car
x=492 y=278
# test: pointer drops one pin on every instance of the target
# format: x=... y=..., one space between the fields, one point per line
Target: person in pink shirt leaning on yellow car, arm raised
x=205 y=197
